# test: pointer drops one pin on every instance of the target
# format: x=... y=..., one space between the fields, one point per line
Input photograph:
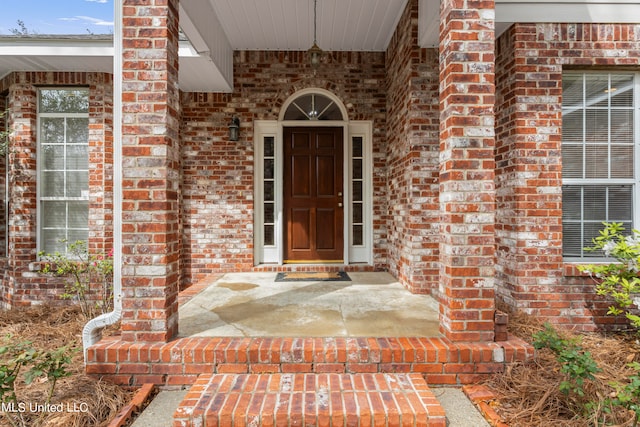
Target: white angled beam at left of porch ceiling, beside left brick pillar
x=201 y=25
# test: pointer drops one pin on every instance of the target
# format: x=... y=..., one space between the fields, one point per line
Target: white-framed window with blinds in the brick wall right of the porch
x=599 y=137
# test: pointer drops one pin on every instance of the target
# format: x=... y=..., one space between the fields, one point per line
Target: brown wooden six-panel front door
x=313 y=212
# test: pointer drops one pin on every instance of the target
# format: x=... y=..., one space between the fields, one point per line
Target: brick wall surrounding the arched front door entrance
x=217 y=175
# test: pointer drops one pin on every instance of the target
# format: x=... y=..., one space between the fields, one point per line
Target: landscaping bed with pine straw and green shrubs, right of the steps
x=530 y=394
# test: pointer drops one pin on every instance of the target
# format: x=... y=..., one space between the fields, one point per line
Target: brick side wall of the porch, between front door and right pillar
x=412 y=139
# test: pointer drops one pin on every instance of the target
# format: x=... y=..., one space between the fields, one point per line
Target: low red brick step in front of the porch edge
x=378 y=399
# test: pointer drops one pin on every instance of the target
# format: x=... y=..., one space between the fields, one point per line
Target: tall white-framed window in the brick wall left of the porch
x=63 y=163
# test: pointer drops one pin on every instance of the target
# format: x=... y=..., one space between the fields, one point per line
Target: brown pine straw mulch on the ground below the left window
x=49 y=328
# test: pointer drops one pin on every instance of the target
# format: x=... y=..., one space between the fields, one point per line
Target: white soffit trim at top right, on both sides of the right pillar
x=511 y=11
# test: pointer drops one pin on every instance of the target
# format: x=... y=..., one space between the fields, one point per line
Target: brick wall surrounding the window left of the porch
x=21 y=284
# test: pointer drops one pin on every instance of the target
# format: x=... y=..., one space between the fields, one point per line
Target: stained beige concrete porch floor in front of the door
x=254 y=305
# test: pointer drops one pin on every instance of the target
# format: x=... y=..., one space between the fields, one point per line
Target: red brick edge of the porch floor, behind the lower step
x=178 y=363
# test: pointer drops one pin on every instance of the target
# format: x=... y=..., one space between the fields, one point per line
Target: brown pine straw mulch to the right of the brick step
x=528 y=395
